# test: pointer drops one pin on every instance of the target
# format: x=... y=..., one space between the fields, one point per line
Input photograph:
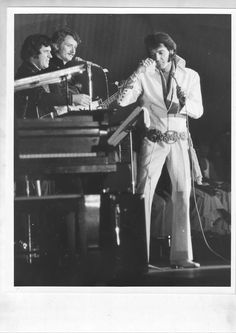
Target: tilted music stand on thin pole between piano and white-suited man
x=122 y=131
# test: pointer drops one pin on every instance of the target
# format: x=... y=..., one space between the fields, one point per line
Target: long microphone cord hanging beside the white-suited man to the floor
x=194 y=196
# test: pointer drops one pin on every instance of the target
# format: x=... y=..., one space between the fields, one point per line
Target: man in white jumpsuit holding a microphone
x=168 y=92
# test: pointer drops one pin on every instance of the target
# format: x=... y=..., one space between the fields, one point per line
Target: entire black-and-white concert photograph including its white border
x=119 y=167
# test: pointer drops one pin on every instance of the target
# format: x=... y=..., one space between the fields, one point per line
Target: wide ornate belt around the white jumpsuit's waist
x=169 y=136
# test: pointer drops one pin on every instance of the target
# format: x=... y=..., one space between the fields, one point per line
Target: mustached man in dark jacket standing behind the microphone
x=65 y=43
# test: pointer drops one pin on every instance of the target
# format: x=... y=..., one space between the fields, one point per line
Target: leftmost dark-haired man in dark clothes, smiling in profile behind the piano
x=38 y=102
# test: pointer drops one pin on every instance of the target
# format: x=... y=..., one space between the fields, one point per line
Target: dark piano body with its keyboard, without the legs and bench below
x=72 y=144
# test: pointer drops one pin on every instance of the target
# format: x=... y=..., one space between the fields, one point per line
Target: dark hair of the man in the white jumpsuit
x=154 y=40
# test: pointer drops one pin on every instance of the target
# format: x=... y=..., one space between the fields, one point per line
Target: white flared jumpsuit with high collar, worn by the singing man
x=148 y=87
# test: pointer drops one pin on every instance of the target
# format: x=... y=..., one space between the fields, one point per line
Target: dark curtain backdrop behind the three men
x=115 y=41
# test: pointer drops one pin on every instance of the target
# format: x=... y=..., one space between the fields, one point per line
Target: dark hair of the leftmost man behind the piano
x=32 y=45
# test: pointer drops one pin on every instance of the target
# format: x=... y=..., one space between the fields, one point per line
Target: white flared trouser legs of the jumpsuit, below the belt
x=151 y=160
